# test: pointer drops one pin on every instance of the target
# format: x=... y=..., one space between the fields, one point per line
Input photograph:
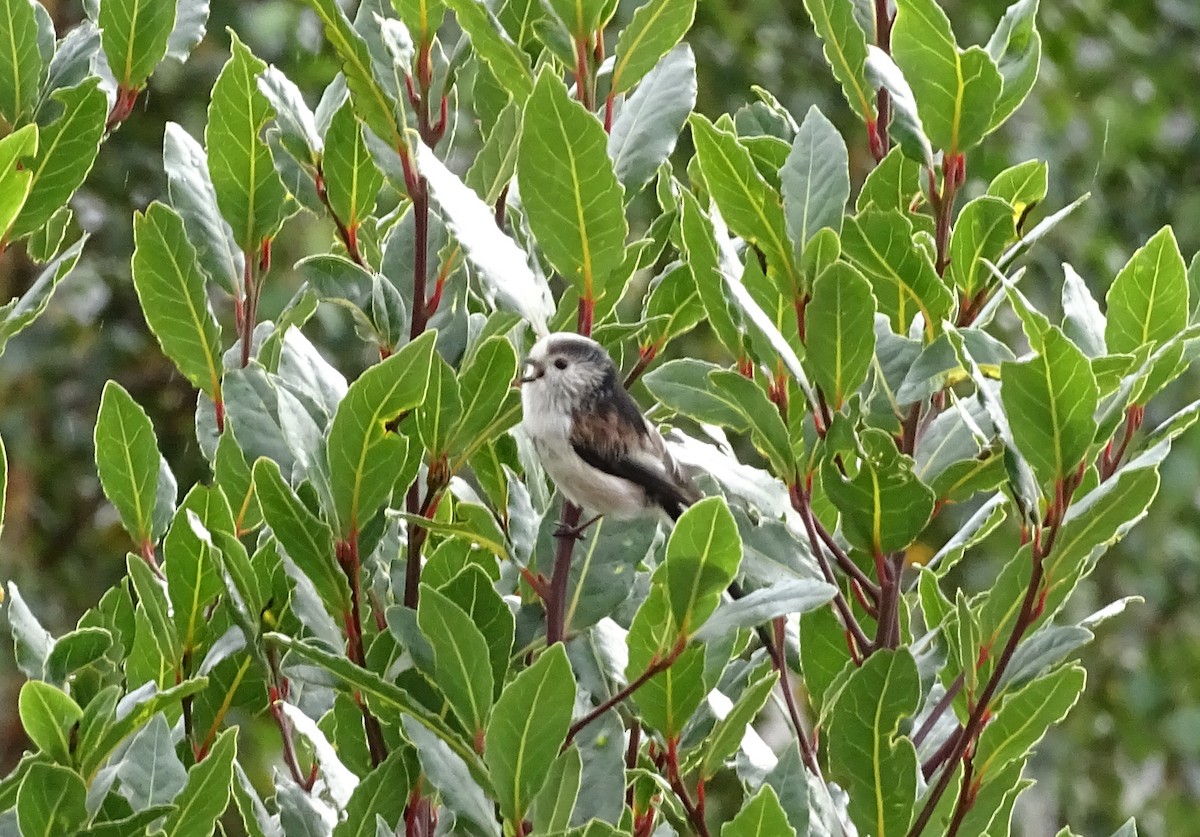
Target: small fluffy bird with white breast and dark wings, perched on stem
x=591 y=436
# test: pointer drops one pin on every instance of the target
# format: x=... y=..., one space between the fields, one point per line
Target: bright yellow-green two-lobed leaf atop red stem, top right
x=957 y=91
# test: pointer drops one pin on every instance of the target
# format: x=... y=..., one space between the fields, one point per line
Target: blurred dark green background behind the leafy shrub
x=1115 y=113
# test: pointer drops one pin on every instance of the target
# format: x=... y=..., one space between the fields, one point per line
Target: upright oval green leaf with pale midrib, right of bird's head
x=841 y=339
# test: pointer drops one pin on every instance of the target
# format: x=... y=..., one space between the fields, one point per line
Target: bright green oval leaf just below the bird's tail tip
x=701 y=562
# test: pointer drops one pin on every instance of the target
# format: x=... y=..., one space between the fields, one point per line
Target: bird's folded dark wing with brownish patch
x=617 y=441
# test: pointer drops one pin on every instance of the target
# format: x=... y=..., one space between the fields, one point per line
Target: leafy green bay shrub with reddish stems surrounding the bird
x=374 y=564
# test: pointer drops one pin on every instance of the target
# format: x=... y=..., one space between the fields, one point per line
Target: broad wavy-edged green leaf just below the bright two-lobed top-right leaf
x=902 y=274
